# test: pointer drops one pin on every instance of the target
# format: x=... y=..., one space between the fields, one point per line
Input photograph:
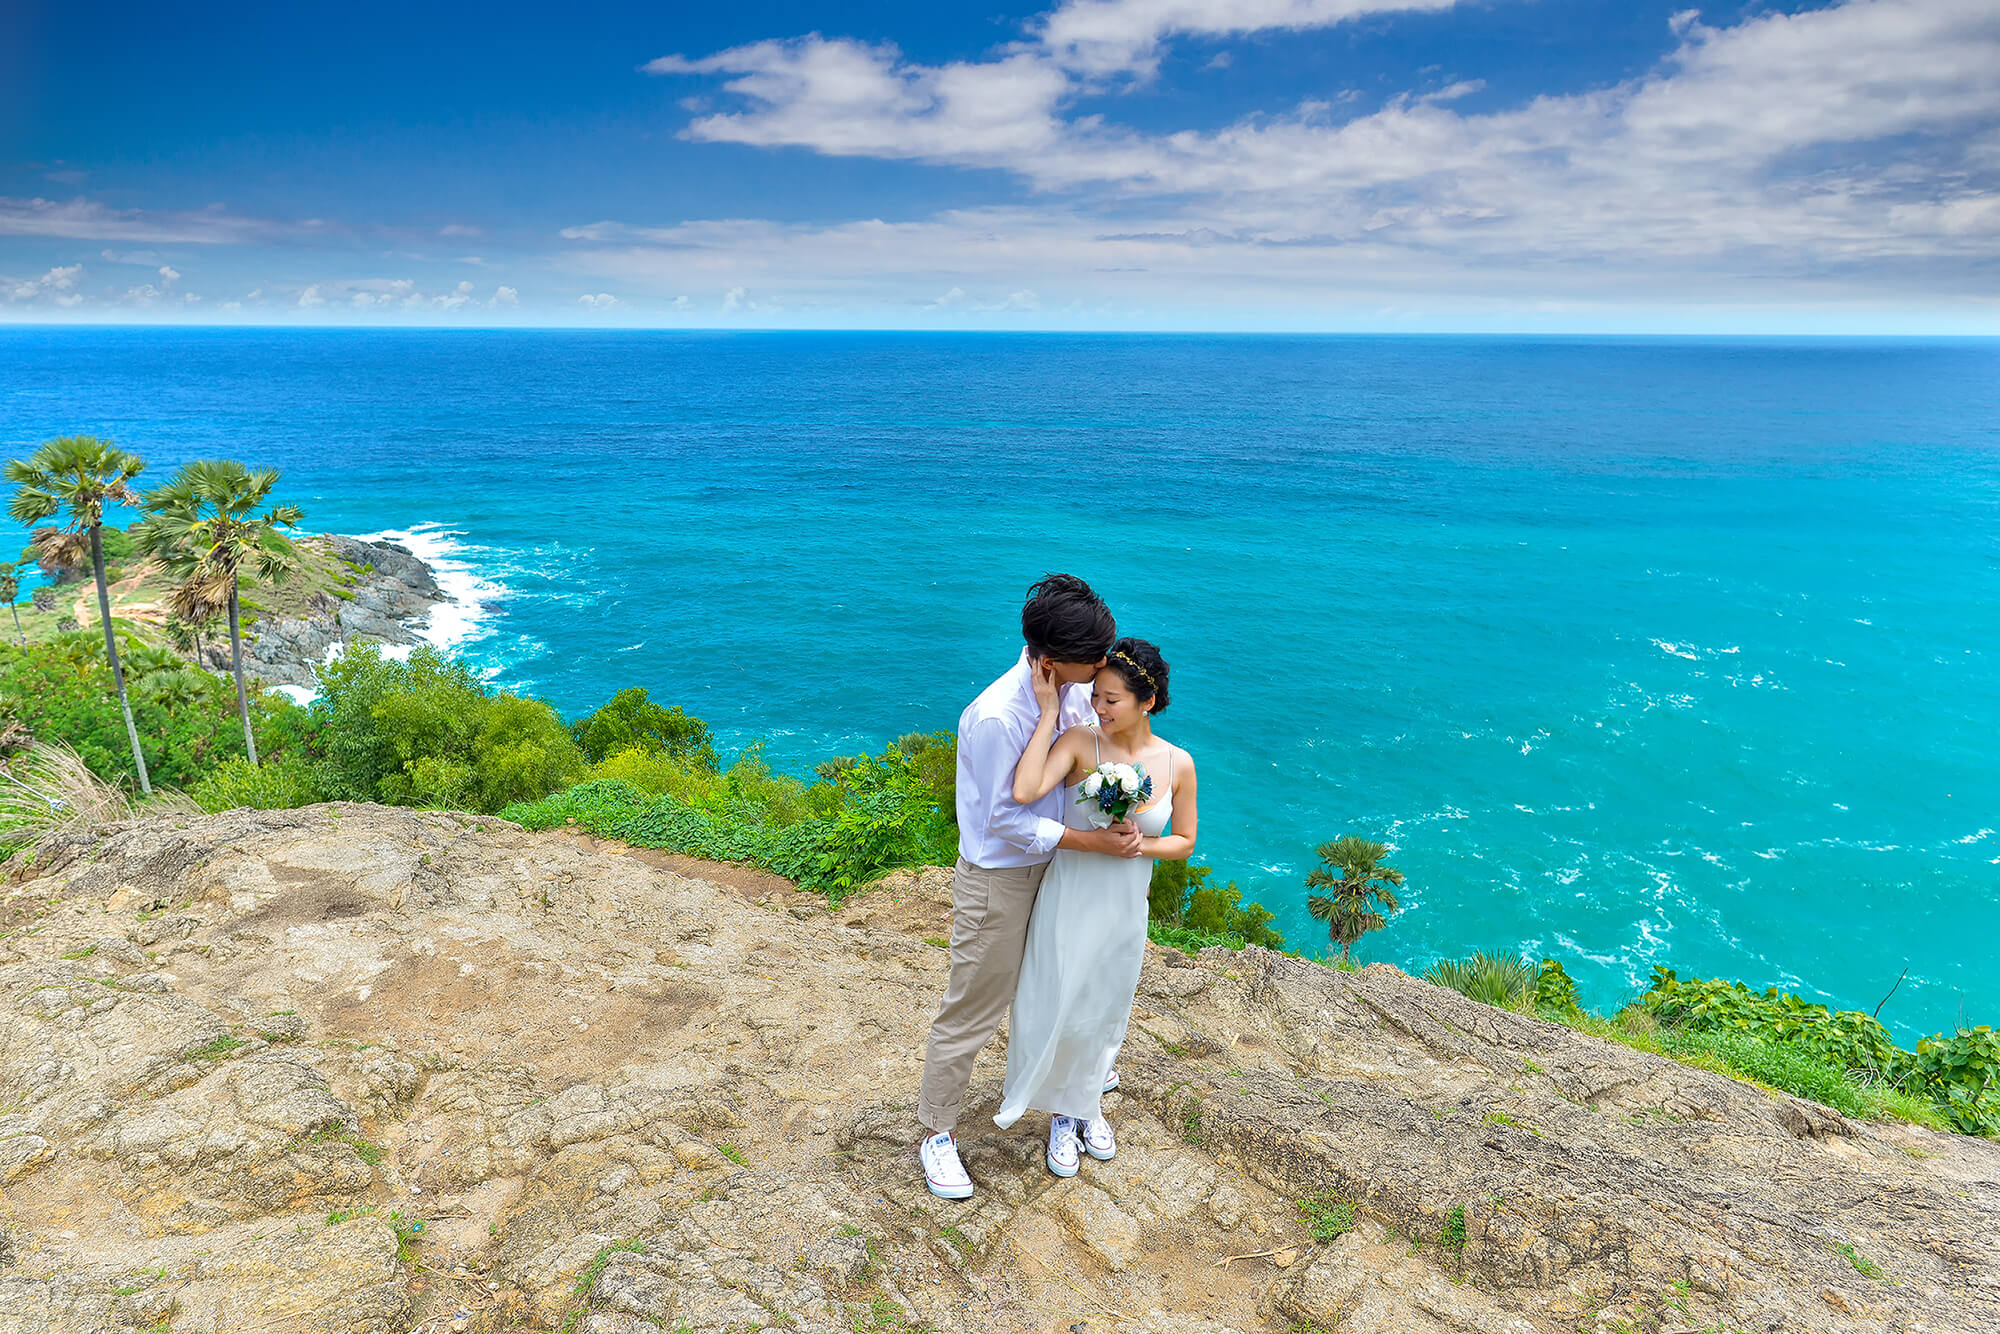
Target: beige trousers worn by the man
x=991 y=909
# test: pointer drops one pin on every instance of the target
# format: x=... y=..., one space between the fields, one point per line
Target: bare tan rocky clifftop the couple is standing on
x=379 y=1071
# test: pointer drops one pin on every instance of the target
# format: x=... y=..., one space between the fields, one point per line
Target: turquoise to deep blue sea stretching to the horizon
x=1637 y=651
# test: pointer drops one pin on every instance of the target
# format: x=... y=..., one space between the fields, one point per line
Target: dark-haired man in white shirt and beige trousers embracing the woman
x=1005 y=849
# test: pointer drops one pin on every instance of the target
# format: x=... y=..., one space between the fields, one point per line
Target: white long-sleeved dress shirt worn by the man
x=993 y=733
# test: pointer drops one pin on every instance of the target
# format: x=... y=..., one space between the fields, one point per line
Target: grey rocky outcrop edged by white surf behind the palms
x=391 y=601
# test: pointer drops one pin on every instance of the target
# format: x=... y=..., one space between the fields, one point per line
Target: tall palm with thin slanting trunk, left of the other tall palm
x=79 y=475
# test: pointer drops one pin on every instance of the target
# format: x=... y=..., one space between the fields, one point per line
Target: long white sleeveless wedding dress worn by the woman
x=1087 y=943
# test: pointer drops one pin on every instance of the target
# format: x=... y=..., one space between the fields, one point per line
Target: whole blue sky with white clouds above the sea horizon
x=1289 y=165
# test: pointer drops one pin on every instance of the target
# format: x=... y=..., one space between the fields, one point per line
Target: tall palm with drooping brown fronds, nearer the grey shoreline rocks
x=205 y=529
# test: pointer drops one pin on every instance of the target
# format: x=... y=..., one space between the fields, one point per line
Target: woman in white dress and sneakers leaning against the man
x=1087 y=939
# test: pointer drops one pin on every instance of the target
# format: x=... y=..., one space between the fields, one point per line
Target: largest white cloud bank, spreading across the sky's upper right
x=1853 y=145
